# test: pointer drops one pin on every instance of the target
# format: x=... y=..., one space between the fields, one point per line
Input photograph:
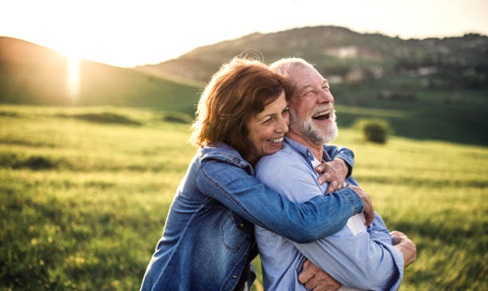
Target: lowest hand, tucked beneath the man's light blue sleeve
x=315 y=279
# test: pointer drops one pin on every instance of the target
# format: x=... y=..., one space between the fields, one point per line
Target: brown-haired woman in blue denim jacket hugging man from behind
x=208 y=241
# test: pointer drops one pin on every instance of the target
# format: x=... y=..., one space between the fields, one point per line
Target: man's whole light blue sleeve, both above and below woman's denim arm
x=357 y=261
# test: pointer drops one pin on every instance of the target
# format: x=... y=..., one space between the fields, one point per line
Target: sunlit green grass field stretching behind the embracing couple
x=84 y=194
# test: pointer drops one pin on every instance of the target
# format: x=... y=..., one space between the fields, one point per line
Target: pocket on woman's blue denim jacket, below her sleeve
x=233 y=232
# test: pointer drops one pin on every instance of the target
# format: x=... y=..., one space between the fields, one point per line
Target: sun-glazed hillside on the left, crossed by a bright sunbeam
x=32 y=74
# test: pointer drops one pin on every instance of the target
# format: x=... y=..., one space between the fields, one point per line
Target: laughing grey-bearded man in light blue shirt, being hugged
x=357 y=257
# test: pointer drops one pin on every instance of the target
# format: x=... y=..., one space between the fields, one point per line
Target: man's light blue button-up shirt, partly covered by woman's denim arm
x=362 y=260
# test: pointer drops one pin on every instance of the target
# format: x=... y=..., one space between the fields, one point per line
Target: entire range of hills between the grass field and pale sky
x=431 y=89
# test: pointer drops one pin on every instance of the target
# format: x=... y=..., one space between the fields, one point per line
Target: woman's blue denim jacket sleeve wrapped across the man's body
x=241 y=192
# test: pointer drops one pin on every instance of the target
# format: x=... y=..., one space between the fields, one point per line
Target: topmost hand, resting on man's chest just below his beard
x=334 y=172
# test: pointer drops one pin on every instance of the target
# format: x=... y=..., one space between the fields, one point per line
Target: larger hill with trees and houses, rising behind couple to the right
x=427 y=89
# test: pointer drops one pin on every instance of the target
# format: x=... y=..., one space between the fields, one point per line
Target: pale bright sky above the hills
x=129 y=33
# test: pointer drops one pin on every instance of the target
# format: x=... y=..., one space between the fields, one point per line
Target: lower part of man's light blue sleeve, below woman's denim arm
x=357 y=261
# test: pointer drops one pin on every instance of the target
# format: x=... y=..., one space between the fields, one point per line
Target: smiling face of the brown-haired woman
x=267 y=129
